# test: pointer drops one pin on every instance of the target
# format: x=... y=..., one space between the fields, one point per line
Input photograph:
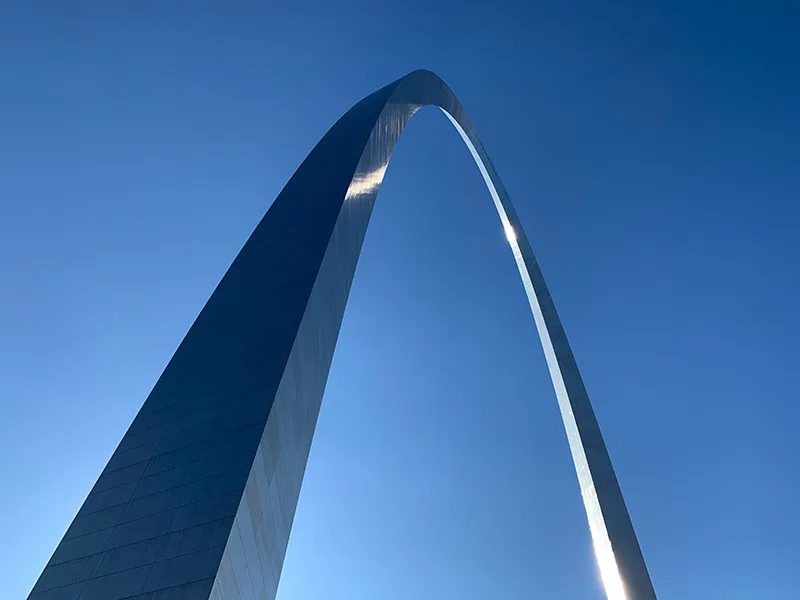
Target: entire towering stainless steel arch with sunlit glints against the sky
x=198 y=499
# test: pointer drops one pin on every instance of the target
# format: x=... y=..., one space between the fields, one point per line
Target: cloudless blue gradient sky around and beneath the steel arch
x=651 y=149
